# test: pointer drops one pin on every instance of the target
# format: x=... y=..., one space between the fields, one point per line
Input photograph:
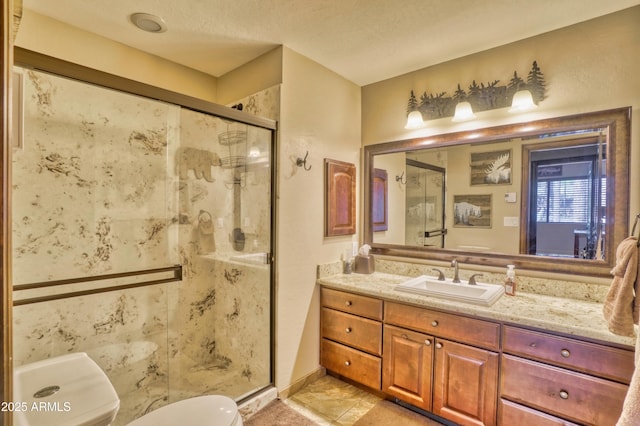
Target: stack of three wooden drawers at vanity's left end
x=351 y=328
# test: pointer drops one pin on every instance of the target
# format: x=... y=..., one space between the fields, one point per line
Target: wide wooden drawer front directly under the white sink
x=468 y=330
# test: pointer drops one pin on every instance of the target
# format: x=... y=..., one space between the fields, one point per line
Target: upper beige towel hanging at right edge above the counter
x=621 y=307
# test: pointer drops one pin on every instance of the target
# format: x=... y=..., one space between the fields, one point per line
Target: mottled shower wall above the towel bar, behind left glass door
x=89 y=187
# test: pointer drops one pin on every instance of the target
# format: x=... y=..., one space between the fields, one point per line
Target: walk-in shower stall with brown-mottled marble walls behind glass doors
x=142 y=235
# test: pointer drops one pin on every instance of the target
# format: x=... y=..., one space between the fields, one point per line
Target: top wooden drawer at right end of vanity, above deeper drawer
x=612 y=363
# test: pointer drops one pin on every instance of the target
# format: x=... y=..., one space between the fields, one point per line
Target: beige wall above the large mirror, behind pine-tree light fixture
x=587 y=67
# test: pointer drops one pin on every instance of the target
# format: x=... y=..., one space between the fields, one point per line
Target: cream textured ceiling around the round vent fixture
x=365 y=41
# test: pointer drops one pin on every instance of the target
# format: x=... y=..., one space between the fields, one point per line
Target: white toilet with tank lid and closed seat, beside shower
x=72 y=390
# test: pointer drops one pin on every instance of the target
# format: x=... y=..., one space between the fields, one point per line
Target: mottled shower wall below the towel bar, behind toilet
x=124 y=332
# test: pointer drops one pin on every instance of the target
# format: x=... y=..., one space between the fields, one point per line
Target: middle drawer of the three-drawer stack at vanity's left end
x=358 y=332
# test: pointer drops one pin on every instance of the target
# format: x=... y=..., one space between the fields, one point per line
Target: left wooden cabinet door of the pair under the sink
x=407 y=362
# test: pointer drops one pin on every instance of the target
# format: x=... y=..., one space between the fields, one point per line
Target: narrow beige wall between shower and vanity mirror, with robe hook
x=320 y=114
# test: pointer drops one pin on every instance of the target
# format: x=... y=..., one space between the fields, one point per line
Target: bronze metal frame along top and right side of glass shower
x=37 y=61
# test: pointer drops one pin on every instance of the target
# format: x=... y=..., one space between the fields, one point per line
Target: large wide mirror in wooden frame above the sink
x=549 y=195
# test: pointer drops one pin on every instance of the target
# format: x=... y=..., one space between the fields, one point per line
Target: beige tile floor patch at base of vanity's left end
x=332 y=402
